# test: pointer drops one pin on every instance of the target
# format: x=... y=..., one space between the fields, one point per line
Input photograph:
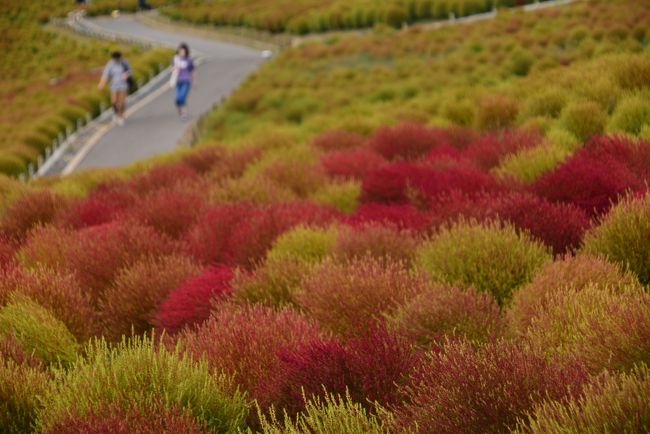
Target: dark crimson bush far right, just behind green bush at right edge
x=591 y=184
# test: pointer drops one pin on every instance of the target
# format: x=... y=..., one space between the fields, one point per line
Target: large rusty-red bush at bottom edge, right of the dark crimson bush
x=462 y=389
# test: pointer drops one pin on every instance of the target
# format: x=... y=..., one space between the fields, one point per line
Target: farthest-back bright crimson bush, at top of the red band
x=406 y=141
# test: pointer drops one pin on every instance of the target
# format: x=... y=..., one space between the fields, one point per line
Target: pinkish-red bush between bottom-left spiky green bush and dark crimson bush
x=244 y=341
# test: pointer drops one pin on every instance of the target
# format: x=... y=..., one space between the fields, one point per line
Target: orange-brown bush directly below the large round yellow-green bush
x=441 y=312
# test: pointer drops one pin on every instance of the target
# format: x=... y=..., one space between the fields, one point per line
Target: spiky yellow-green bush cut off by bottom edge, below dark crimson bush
x=333 y=414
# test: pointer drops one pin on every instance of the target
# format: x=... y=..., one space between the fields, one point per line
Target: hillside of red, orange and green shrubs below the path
x=399 y=232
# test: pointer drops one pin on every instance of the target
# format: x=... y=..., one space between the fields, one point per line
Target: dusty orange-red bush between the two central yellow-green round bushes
x=382 y=242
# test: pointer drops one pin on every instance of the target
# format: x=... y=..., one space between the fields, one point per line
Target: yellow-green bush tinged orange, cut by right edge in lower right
x=609 y=328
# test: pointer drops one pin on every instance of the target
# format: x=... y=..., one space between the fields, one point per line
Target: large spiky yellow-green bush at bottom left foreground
x=133 y=375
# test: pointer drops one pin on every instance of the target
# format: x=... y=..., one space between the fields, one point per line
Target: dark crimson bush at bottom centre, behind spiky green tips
x=372 y=368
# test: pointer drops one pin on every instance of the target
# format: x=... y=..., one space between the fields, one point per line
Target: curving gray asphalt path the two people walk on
x=156 y=127
